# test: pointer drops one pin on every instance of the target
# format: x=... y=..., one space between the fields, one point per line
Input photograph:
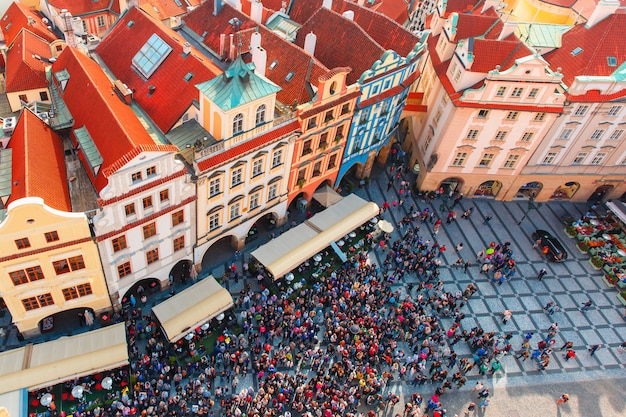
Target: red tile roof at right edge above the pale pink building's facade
x=603 y=40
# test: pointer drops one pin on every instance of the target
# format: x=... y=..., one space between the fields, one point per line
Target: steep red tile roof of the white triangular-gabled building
x=113 y=126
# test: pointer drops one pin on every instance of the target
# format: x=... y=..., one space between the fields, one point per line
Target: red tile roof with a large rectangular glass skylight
x=173 y=94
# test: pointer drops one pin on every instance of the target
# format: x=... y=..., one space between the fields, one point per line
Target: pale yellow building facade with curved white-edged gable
x=49 y=264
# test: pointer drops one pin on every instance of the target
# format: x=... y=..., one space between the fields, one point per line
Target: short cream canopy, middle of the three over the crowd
x=192 y=307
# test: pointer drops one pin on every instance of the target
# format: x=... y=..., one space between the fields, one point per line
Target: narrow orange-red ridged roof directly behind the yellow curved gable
x=38 y=163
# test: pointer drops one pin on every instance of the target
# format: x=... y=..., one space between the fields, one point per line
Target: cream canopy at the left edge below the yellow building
x=50 y=363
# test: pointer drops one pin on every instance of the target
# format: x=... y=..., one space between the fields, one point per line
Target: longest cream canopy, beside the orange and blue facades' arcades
x=295 y=246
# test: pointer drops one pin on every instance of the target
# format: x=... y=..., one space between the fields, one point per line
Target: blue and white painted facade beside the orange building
x=384 y=89
